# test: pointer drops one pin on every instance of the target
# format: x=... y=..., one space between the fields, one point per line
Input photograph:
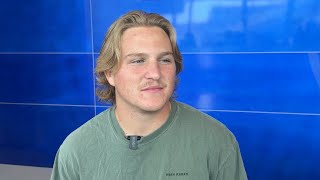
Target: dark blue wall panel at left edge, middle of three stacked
x=51 y=78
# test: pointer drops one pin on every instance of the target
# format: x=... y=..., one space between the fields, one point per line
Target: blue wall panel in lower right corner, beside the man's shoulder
x=276 y=146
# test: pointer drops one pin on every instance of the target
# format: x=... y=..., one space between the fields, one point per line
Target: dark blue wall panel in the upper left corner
x=45 y=26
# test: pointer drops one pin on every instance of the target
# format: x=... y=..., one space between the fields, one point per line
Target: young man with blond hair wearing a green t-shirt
x=146 y=134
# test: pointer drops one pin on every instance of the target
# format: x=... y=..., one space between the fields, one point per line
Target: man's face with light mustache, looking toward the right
x=146 y=78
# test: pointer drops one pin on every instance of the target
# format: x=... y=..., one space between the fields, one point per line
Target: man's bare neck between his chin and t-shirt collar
x=141 y=123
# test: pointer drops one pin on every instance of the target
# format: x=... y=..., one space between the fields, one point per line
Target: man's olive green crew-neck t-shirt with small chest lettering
x=190 y=145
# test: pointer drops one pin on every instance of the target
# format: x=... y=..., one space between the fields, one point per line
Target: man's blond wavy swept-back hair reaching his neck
x=109 y=58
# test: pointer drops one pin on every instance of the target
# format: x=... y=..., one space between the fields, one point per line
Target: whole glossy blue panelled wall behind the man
x=252 y=64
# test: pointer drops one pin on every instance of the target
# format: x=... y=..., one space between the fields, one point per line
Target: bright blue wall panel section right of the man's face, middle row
x=255 y=82
